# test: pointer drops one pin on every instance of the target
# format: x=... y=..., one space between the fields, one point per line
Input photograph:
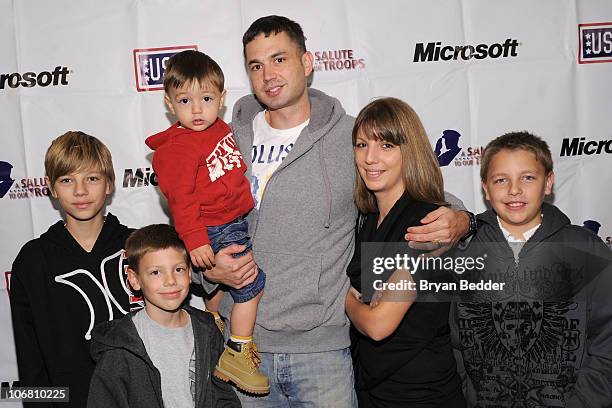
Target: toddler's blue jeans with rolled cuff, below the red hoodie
x=237 y=232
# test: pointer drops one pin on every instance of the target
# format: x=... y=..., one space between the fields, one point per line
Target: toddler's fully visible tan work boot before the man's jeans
x=239 y=363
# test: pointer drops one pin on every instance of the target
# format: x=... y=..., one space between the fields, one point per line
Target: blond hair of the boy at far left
x=76 y=151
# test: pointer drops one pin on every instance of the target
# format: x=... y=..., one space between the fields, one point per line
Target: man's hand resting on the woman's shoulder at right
x=443 y=226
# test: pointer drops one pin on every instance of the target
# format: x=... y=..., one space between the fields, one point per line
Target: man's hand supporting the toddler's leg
x=230 y=271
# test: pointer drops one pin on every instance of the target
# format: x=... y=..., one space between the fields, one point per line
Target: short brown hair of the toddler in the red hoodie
x=190 y=67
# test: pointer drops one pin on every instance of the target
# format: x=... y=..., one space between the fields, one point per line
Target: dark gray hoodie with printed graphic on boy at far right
x=546 y=340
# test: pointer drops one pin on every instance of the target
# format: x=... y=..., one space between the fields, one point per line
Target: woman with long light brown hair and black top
x=401 y=348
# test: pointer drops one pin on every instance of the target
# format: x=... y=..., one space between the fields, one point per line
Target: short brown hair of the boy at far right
x=513 y=141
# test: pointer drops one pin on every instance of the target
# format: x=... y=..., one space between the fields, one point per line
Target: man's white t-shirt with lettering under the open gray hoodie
x=270 y=147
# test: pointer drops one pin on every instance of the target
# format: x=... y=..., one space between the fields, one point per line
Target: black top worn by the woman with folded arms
x=415 y=364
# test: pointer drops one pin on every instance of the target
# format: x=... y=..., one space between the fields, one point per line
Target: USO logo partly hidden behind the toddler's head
x=150 y=63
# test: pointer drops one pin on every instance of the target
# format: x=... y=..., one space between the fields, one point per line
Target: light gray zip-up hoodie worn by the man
x=303 y=232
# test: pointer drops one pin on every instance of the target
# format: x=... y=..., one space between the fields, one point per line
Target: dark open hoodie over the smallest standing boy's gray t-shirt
x=125 y=376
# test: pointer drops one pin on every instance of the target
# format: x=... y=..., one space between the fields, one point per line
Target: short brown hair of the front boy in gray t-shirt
x=152 y=238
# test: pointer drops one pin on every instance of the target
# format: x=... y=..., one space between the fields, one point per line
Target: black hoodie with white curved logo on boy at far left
x=58 y=293
